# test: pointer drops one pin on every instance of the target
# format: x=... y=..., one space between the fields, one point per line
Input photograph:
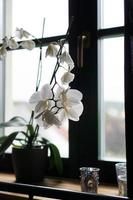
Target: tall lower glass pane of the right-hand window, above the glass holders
x=111 y=92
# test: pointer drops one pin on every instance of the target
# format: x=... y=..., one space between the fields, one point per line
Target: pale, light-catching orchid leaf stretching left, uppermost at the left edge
x=15 y=121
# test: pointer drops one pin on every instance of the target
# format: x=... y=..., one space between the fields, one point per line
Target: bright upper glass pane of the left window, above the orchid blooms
x=30 y=14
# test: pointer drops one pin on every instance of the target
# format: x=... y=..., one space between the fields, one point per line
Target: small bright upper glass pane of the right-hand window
x=111 y=13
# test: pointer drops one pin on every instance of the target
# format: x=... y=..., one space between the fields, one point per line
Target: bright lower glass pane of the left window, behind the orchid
x=22 y=85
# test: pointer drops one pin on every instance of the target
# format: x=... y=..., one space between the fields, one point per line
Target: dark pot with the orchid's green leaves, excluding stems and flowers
x=30 y=151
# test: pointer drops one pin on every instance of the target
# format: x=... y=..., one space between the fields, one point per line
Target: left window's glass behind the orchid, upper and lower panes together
x=20 y=65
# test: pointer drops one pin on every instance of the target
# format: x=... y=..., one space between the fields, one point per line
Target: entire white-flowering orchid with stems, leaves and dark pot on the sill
x=51 y=104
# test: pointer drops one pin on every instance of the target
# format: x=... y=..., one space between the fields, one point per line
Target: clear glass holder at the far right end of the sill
x=121 y=173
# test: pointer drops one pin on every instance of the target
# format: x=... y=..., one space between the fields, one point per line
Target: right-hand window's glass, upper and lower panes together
x=111 y=80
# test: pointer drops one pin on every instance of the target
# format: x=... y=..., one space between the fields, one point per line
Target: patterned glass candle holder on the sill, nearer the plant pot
x=89 y=179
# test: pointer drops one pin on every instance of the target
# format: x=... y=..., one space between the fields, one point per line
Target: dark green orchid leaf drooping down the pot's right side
x=56 y=158
